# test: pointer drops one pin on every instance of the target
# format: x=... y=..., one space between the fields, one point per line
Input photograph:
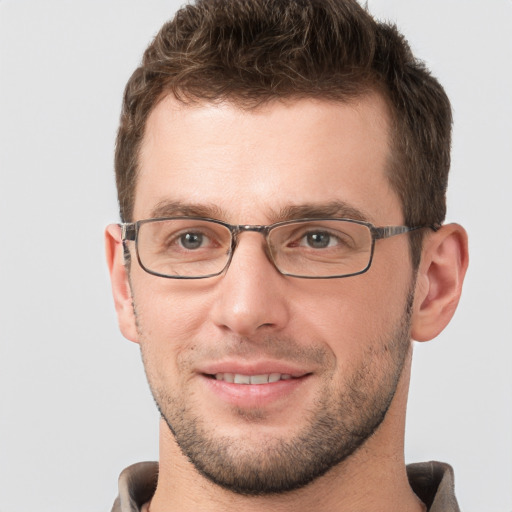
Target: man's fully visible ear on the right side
x=439 y=281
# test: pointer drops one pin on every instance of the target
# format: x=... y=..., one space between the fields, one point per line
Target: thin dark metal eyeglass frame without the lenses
x=130 y=230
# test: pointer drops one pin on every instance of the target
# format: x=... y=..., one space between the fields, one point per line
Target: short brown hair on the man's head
x=253 y=51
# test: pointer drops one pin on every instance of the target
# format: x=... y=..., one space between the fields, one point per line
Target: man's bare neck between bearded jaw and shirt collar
x=373 y=479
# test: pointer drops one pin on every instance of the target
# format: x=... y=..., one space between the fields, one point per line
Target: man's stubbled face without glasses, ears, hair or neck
x=329 y=352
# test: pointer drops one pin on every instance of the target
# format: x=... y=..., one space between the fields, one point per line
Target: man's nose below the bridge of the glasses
x=251 y=294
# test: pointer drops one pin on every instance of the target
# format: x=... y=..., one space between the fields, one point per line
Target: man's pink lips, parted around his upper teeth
x=251 y=396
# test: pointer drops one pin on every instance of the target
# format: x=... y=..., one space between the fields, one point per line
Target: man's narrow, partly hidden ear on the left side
x=120 y=282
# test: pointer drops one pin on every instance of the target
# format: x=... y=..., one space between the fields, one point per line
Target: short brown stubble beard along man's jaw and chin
x=337 y=425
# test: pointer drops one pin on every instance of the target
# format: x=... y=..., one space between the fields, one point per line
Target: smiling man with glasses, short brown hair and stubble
x=281 y=170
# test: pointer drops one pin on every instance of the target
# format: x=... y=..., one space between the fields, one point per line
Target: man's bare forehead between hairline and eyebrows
x=246 y=165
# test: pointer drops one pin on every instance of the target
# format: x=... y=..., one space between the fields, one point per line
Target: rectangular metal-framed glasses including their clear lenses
x=197 y=248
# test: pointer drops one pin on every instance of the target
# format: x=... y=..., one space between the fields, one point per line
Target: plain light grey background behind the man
x=74 y=405
